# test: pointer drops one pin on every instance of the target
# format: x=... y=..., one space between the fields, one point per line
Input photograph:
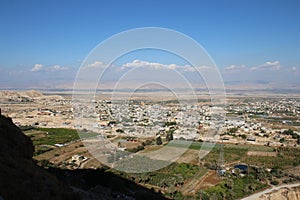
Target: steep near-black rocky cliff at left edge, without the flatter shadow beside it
x=20 y=177
